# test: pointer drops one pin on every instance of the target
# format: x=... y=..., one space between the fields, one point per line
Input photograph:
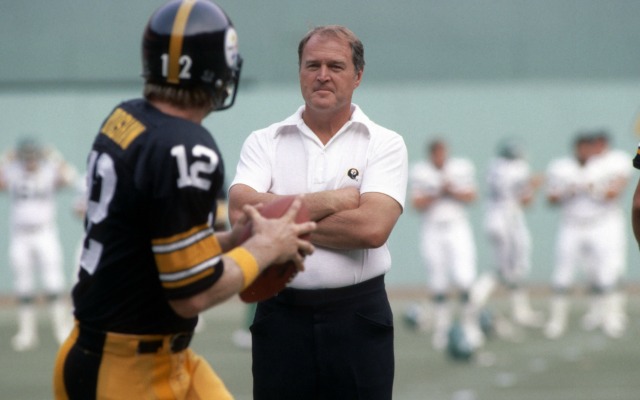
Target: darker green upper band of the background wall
x=72 y=41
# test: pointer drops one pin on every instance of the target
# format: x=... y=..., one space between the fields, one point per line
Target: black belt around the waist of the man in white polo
x=317 y=297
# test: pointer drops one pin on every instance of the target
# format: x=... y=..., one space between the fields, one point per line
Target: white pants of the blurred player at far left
x=36 y=253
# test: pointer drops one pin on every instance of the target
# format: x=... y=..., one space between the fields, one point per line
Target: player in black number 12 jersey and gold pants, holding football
x=151 y=261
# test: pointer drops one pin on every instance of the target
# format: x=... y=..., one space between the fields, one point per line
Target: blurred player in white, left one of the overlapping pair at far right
x=573 y=184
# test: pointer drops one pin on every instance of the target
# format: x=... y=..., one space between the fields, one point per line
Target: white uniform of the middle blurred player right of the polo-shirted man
x=508 y=181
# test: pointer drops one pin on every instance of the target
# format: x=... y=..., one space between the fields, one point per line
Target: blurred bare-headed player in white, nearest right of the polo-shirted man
x=441 y=188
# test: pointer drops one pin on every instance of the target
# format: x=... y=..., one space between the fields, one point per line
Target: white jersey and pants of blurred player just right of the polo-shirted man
x=447 y=244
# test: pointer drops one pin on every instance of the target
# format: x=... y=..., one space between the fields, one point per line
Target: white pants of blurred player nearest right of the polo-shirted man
x=448 y=249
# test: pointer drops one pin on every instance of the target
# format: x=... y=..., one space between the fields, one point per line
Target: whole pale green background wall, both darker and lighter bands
x=472 y=71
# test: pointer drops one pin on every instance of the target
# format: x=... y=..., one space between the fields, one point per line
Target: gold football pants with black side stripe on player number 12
x=117 y=366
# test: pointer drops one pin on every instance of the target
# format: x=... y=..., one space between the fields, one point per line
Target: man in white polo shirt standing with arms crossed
x=329 y=334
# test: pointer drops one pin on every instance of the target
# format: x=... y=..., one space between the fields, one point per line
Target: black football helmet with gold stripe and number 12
x=192 y=43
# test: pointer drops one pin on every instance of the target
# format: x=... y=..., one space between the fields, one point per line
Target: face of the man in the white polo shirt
x=327 y=74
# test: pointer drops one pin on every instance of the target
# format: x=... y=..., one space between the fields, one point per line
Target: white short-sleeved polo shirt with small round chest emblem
x=287 y=158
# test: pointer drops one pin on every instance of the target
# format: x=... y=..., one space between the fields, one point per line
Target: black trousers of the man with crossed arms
x=324 y=344
